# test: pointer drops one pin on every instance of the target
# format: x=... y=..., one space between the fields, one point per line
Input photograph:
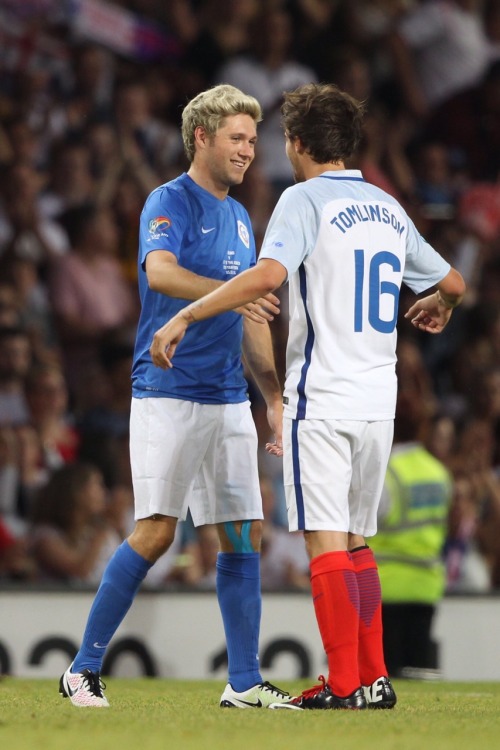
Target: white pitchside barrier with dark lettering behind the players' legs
x=179 y=635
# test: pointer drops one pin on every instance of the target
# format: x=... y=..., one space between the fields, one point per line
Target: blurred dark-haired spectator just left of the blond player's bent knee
x=71 y=537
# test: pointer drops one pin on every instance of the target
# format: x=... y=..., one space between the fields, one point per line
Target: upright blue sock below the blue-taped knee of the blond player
x=240 y=602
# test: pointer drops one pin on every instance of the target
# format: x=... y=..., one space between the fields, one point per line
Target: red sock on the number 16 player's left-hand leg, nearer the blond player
x=336 y=603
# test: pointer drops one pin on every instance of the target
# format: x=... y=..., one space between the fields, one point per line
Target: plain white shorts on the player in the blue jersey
x=197 y=456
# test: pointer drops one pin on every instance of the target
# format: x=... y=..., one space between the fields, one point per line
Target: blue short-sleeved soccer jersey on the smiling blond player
x=211 y=238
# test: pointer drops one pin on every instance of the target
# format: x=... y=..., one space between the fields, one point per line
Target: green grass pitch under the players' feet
x=155 y=714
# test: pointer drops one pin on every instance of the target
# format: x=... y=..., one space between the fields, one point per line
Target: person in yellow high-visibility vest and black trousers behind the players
x=408 y=547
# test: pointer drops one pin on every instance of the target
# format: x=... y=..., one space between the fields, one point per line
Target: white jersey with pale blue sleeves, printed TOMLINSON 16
x=347 y=247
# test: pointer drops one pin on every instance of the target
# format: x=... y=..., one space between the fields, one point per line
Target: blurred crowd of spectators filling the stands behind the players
x=90 y=101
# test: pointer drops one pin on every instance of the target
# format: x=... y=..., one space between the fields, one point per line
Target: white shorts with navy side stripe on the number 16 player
x=334 y=473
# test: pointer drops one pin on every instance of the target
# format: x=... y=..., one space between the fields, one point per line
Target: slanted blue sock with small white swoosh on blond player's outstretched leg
x=120 y=582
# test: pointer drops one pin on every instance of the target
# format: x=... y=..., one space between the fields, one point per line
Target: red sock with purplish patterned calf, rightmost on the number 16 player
x=371 y=649
